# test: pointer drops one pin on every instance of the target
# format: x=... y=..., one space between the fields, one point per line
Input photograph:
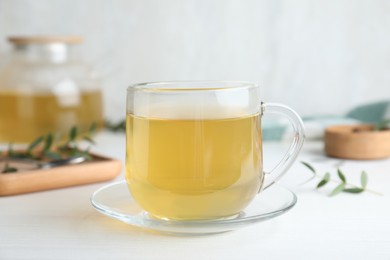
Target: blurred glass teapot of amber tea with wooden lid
x=44 y=88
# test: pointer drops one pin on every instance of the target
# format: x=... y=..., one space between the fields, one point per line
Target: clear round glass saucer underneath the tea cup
x=115 y=200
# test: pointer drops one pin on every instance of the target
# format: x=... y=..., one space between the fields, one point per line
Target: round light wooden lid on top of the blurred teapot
x=21 y=40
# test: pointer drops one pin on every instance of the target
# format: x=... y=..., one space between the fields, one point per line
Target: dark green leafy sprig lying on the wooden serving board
x=48 y=148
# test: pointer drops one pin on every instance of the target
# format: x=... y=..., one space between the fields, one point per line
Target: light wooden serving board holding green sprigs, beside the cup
x=31 y=180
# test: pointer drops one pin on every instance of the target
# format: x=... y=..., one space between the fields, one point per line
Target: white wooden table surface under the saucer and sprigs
x=61 y=224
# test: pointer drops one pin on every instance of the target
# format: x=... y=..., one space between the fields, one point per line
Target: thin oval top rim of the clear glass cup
x=166 y=86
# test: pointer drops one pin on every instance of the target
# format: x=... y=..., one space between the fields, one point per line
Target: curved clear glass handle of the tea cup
x=299 y=136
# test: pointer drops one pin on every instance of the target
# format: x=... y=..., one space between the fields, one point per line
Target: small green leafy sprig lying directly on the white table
x=342 y=184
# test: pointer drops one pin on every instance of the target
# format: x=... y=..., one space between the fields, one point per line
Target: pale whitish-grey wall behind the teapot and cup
x=319 y=57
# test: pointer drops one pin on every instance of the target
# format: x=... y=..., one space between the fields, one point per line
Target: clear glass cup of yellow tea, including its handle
x=194 y=149
